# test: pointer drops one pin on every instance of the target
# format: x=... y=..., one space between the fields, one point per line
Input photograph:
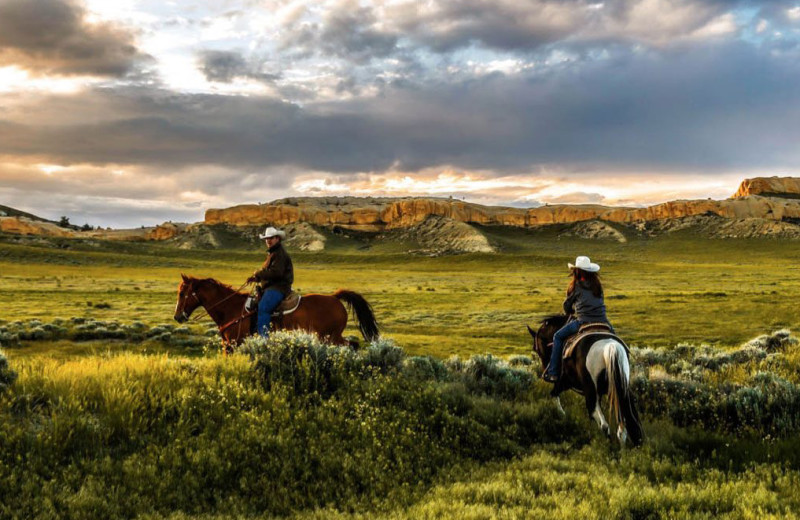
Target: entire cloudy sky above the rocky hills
x=121 y=113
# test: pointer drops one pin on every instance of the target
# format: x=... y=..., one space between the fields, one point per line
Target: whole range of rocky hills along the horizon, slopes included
x=761 y=207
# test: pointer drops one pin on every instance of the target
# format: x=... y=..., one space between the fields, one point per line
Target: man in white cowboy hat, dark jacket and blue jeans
x=274 y=279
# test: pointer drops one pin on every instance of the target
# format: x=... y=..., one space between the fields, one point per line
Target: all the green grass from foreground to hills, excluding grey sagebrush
x=113 y=428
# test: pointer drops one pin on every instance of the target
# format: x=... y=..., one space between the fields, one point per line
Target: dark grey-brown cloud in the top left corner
x=55 y=37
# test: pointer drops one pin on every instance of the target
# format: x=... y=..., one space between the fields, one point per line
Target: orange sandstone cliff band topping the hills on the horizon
x=765 y=198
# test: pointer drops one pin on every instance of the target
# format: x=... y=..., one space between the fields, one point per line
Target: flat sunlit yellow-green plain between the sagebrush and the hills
x=659 y=291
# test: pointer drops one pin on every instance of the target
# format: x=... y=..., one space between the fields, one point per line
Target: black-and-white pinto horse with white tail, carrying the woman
x=598 y=366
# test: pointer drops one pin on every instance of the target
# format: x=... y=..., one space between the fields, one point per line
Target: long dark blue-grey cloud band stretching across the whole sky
x=712 y=107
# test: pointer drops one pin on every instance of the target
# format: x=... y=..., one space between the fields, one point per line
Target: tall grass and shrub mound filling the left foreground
x=291 y=424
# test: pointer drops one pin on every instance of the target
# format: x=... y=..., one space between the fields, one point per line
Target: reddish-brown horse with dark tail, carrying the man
x=321 y=314
